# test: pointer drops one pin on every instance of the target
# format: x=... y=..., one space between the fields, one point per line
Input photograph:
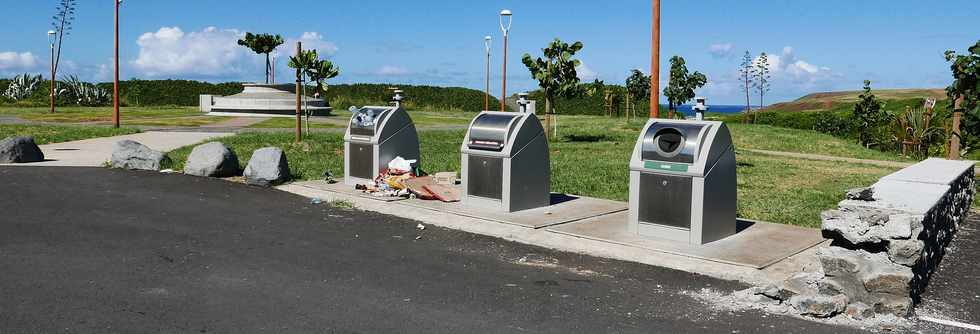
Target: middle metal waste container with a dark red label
x=505 y=163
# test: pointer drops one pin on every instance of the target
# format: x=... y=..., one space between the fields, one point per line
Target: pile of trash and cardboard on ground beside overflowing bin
x=404 y=179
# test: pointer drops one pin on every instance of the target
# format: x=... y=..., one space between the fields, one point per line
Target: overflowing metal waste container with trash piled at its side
x=375 y=136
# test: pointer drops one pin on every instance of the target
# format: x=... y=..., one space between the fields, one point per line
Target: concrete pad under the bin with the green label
x=756 y=245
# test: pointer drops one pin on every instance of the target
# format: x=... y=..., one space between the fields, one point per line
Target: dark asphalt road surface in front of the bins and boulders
x=99 y=250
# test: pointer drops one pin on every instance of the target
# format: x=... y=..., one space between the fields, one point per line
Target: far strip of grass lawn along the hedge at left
x=151 y=116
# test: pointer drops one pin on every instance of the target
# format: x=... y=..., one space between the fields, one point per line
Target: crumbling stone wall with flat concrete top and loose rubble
x=888 y=239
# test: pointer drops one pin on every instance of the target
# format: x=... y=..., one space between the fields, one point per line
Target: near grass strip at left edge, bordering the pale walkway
x=46 y=134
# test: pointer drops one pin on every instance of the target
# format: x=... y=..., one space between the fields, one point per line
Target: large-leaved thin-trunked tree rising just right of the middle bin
x=555 y=74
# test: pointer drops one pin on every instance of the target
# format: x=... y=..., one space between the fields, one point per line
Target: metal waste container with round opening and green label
x=683 y=181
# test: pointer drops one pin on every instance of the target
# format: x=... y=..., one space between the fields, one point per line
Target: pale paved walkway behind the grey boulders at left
x=94 y=152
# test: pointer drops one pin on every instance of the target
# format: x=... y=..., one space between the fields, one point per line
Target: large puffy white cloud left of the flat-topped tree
x=209 y=52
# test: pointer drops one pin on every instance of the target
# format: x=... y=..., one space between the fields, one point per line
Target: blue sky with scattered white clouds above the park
x=814 y=45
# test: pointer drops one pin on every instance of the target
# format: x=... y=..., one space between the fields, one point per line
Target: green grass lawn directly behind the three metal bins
x=591 y=155
